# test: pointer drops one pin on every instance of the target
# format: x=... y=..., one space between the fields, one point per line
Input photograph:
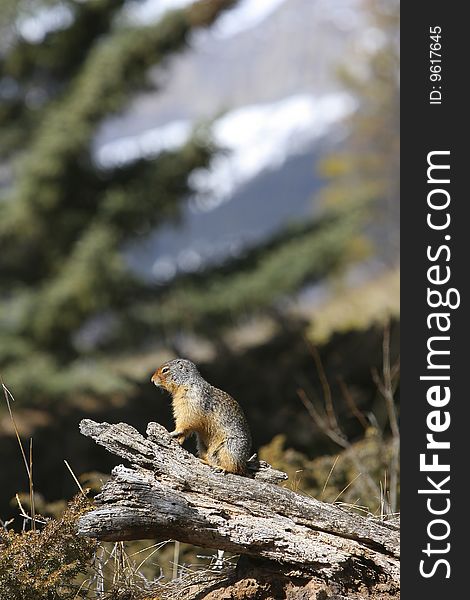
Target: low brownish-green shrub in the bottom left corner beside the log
x=44 y=564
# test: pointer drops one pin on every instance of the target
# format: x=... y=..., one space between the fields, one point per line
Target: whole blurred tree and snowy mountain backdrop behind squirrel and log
x=216 y=180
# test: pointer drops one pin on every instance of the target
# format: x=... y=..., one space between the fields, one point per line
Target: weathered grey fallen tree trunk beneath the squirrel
x=167 y=493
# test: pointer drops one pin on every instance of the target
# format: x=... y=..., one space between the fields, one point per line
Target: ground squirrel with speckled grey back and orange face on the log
x=223 y=436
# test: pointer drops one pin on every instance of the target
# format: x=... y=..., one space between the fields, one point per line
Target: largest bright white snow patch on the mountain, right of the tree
x=263 y=137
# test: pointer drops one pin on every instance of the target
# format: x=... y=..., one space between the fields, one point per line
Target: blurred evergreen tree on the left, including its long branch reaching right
x=65 y=221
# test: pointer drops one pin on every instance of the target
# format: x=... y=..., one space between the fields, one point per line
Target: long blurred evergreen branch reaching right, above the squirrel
x=265 y=276
